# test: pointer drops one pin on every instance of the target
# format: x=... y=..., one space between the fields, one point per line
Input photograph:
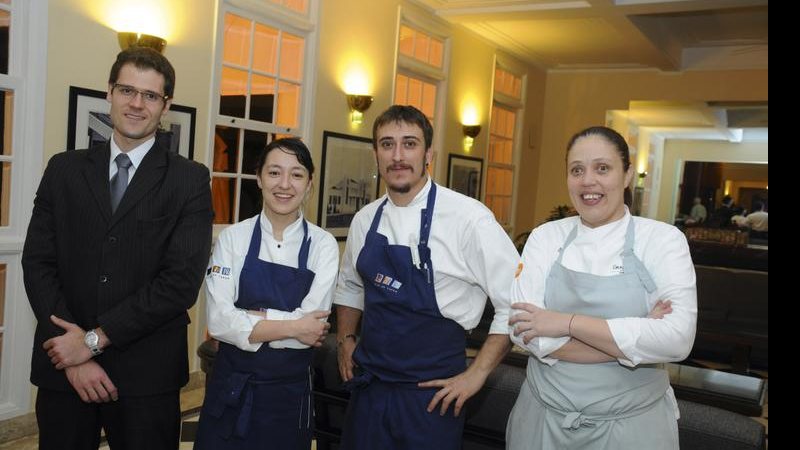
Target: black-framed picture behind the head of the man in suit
x=90 y=122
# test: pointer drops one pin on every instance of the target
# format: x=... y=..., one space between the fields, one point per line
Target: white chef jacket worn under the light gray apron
x=662 y=249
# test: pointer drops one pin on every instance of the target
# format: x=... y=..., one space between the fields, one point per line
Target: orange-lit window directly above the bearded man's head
x=420 y=72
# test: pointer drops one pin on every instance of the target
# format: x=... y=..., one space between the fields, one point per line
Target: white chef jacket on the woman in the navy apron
x=232 y=325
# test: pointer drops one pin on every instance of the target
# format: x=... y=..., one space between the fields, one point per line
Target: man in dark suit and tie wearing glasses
x=115 y=255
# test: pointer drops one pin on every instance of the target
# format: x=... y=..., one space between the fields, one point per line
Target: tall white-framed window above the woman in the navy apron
x=261 y=94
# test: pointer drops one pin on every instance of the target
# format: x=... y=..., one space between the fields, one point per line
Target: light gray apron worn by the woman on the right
x=595 y=406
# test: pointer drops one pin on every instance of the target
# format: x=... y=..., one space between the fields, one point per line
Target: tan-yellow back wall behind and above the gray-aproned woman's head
x=576 y=100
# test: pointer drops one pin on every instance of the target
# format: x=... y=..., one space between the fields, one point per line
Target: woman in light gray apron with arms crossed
x=602 y=299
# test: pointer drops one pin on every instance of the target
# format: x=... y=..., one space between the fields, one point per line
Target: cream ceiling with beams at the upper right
x=669 y=35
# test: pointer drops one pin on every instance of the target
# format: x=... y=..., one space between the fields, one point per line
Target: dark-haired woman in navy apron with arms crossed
x=269 y=287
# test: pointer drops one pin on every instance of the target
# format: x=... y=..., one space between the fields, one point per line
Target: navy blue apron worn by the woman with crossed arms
x=262 y=399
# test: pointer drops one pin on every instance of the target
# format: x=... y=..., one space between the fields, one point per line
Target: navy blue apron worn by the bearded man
x=404 y=340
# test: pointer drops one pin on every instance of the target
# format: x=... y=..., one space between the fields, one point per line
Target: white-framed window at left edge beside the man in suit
x=23 y=54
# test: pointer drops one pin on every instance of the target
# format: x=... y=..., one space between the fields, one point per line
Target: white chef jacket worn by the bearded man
x=472 y=255
